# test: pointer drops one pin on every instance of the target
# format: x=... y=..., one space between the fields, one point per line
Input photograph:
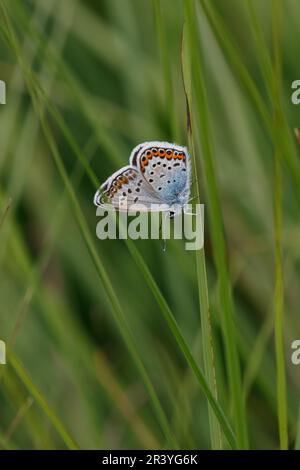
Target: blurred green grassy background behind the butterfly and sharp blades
x=92 y=361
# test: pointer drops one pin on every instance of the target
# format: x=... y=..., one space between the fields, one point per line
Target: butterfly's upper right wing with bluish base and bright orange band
x=166 y=168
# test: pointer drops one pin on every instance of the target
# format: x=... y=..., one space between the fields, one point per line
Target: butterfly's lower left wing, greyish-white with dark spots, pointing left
x=125 y=188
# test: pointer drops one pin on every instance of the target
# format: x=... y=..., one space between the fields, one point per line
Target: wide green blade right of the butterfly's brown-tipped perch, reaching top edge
x=218 y=239
